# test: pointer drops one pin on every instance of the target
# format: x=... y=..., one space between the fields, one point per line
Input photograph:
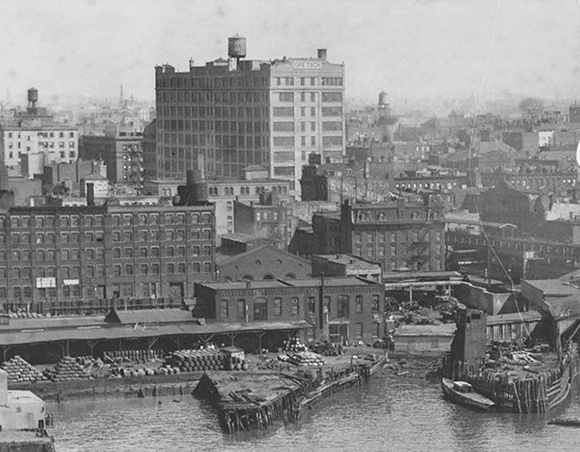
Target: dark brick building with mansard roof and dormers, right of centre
x=407 y=233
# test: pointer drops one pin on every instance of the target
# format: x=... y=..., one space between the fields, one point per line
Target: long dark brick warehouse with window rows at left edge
x=52 y=254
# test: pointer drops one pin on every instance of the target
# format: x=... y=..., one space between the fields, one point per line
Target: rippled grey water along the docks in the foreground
x=390 y=413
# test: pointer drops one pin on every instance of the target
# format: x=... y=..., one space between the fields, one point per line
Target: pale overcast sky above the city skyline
x=411 y=49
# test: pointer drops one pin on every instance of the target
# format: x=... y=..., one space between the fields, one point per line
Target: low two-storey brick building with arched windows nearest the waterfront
x=337 y=308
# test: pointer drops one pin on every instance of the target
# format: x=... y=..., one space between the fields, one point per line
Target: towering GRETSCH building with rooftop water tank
x=236 y=112
